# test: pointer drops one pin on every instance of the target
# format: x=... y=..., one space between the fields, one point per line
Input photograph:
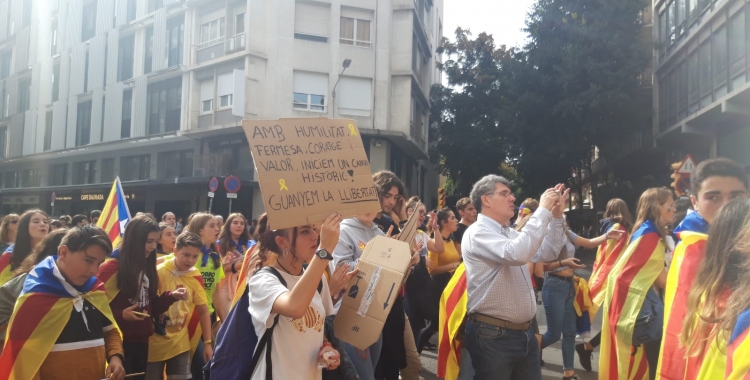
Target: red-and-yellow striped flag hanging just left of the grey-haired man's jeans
x=453 y=308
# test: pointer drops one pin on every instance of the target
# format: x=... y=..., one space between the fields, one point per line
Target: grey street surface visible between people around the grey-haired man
x=552 y=355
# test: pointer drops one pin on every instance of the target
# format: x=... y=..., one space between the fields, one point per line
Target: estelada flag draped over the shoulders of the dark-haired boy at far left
x=41 y=313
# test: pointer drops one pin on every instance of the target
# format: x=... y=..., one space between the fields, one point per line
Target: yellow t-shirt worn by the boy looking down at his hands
x=163 y=347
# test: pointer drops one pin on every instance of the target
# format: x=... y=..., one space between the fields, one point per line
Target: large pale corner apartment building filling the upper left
x=154 y=91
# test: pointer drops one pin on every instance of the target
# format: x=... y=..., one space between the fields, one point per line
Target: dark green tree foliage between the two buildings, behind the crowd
x=542 y=108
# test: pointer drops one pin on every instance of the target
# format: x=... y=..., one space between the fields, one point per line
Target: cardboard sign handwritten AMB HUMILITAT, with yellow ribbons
x=309 y=168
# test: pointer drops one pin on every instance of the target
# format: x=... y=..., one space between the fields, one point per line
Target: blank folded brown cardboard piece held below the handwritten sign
x=369 y=297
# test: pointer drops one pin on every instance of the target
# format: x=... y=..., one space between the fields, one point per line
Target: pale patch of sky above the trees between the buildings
x=504 y=19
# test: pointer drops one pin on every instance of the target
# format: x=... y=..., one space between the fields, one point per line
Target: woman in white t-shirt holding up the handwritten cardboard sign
x=289 y=304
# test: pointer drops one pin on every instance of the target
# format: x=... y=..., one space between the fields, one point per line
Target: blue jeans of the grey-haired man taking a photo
x=502 y=354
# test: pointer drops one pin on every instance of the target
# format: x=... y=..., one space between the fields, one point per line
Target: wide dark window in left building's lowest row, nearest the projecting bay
x=164 y=103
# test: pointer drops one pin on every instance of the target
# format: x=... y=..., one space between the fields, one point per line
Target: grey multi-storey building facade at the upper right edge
x=701 y=86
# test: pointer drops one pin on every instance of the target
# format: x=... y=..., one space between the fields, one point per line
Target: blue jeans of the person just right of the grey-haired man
x=558 y=296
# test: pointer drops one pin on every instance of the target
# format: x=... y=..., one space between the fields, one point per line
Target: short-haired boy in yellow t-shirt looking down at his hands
x=188 y=320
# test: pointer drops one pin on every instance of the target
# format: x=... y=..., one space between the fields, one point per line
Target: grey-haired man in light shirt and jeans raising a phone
x=501 y=302
